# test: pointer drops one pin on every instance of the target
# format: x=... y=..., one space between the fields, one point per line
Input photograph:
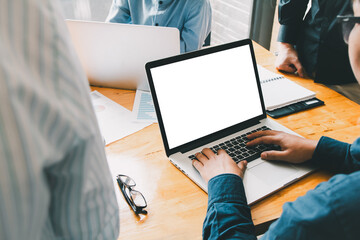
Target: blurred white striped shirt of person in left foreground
x=54 y=179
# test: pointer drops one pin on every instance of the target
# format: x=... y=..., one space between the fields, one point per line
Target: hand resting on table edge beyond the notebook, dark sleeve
x=288 y=60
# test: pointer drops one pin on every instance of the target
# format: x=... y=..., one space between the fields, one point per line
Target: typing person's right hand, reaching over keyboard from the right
x=294 y=149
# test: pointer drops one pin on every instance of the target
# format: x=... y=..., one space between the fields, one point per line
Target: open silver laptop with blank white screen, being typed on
x=212 y=98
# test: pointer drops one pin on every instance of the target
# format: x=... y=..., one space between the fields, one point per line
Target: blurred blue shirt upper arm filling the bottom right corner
x=330 y=211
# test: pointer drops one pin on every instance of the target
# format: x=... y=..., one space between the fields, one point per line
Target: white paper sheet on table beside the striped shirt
x=114 y=120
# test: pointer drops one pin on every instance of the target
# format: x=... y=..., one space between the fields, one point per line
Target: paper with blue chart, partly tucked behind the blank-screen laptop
x=143 y=109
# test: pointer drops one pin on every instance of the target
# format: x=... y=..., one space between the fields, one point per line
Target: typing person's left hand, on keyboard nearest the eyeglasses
x=210 y=164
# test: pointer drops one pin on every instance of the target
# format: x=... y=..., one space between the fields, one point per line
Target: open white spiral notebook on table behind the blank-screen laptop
x=279 y=92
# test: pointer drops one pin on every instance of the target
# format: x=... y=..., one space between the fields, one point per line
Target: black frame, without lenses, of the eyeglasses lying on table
x=129 y=200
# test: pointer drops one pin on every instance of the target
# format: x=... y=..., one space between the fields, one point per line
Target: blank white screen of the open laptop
x=203 y=95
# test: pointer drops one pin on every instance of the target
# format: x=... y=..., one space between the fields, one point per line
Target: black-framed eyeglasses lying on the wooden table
x=134 y=198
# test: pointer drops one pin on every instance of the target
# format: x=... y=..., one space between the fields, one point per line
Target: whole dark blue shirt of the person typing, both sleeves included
x=330 y=211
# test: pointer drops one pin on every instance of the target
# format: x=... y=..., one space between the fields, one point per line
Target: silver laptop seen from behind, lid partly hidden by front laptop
x=114 y=55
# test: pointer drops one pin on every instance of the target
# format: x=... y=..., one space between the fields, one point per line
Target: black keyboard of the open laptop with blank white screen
x=237 y=149
